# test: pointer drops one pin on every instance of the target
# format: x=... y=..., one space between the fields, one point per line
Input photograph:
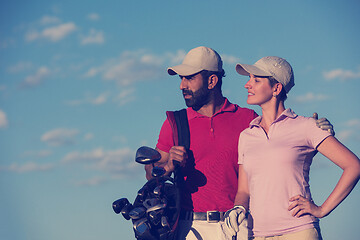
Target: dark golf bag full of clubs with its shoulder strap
x=156 y=209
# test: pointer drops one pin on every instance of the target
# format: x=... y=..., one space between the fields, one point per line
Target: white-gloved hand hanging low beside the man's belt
x=233 y=218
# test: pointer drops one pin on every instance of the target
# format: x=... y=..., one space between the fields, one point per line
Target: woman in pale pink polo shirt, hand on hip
x=275 y=154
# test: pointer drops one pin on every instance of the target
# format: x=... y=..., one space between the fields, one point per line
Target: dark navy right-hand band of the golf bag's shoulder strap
x=182 y=128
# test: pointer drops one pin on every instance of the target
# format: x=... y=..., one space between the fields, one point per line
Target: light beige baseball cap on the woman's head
x=275 y=67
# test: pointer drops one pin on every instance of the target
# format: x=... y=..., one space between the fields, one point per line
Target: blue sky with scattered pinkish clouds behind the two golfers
x=83 y=84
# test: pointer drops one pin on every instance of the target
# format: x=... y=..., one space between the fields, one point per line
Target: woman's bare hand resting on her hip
x=300 y=206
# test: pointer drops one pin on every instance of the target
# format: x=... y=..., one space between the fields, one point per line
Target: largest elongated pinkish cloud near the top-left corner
x=54 y=33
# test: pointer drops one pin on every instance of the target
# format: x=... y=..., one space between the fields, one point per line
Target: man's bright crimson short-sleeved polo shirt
x=212 y=170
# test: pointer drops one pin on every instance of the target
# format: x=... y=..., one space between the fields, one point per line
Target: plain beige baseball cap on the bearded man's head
x=196 y=60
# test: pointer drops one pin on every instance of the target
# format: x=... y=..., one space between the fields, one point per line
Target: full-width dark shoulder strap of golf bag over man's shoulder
x=180 y=127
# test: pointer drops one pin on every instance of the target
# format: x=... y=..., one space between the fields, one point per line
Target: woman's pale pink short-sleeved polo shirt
x=277 y=166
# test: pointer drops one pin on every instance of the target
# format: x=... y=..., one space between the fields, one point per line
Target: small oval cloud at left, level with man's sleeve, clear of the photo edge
x=60 y=137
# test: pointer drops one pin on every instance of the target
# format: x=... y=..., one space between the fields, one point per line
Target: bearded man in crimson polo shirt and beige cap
x=210 y=166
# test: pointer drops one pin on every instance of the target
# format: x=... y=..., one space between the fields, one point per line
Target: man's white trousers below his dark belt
x=202 y=230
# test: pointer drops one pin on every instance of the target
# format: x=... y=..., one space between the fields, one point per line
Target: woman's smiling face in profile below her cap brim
x=259 y=90
